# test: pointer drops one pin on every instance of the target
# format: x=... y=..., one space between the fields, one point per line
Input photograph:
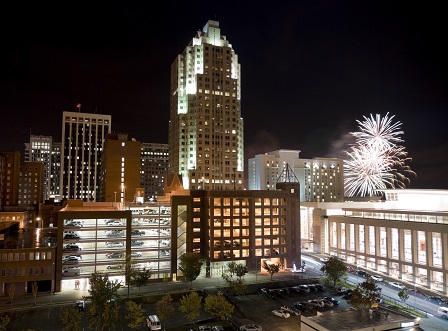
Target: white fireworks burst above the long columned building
x=376 y=161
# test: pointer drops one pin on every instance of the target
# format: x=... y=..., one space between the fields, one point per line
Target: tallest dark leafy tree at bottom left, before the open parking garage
x=104 y=311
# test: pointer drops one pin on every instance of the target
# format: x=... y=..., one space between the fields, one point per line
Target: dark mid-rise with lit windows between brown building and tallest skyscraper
x=153 y=169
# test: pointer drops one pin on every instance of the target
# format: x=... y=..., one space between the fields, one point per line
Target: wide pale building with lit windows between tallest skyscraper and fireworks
x=321 y=179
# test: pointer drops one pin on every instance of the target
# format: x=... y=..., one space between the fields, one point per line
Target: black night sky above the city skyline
x=310 y=69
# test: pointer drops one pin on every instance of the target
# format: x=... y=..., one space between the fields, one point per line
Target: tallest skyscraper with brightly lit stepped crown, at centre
x=206 y=141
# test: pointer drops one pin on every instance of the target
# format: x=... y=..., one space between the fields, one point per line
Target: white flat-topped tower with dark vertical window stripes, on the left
x=83 y=138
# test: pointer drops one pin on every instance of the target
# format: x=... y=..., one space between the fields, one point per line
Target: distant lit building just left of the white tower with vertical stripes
x=39 y=149
